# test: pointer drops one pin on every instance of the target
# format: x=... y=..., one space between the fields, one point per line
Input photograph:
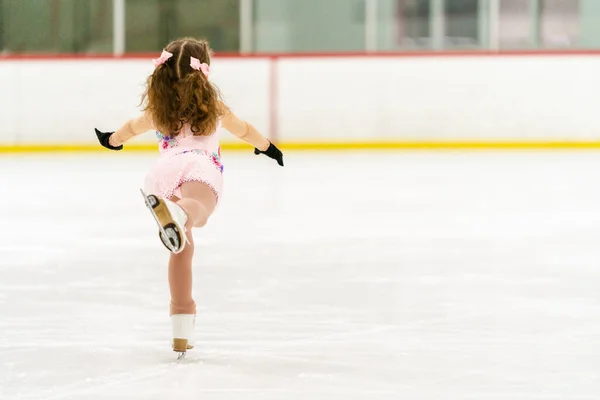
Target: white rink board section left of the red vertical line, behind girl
x=52 y=101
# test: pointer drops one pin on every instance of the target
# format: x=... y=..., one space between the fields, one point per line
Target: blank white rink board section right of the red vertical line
x=447 y=98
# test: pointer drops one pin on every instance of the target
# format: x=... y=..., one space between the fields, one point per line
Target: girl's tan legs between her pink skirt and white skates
x=198 y=201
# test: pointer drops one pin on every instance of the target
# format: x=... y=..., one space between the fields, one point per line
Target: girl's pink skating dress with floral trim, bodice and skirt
x=186 y=158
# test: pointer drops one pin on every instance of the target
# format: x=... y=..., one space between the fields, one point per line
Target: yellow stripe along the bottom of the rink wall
x=323 y=146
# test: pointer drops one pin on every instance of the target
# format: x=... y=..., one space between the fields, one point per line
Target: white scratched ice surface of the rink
x=341 y=276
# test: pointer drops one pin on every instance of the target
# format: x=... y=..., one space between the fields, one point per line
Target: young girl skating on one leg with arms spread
x=185 y=184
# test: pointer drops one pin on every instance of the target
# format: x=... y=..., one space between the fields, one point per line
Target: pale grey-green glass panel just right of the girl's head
x=309 y=25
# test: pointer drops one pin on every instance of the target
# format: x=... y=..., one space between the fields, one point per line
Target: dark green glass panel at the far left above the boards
x=53 y=26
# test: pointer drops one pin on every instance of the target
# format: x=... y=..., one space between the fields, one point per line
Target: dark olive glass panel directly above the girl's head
x=150 y=24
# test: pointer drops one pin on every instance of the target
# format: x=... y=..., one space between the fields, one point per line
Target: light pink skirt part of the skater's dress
x=171 y=170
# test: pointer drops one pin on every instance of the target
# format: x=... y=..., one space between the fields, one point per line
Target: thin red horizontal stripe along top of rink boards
x=424 y=54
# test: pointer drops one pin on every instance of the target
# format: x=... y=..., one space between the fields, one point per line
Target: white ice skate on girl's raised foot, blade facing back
x=171 y=220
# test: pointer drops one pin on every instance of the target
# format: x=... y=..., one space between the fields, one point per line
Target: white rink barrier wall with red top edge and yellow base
x=459 y=100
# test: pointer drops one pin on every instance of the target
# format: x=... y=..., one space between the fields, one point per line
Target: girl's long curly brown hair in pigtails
x=176 y=94
